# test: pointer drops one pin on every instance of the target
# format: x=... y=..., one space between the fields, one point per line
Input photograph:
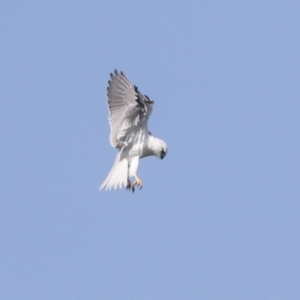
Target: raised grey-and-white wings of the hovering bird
x=128 y=108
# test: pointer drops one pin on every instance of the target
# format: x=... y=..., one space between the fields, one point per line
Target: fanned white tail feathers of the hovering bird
x=117 y=177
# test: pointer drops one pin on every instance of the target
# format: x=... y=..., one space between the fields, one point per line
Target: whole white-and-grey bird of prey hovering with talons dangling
x=129 y=111
